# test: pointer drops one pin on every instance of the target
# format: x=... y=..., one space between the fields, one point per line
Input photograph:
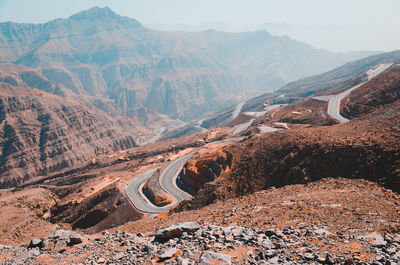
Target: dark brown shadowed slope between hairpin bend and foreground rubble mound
x=364 y=148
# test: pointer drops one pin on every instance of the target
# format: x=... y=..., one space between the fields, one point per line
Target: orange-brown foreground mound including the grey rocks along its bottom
x=332 y=221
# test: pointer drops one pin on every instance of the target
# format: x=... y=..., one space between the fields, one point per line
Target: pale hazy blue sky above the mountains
x=338 y=25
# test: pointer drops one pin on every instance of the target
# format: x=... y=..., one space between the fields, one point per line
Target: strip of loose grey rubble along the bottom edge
x=190 y=243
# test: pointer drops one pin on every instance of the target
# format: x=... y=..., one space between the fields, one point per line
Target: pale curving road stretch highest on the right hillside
x=335 y=101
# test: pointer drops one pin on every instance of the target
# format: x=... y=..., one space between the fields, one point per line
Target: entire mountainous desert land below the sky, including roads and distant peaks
x=97 y=166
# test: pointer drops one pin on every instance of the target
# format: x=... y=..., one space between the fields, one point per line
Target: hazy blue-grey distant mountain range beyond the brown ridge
x=179 y=74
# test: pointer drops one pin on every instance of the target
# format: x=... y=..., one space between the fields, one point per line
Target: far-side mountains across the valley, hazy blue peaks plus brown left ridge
x=103 y=82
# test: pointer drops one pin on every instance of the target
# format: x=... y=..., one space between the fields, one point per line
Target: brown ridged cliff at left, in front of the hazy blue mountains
x=42 y=133
